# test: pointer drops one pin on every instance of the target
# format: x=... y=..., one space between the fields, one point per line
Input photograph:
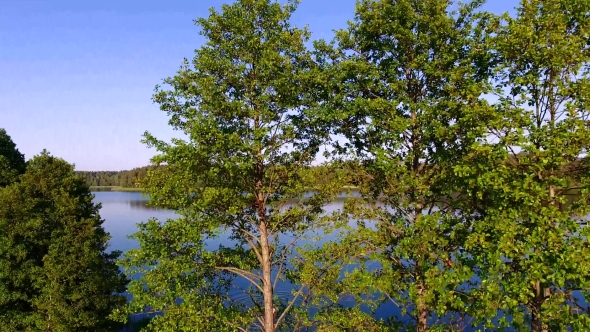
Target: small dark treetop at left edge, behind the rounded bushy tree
x=12 y=162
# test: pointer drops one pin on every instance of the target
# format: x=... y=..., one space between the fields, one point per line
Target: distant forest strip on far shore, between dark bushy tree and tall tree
x=126 y=178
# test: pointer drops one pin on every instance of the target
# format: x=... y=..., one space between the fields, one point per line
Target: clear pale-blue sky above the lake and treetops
x=76 y=76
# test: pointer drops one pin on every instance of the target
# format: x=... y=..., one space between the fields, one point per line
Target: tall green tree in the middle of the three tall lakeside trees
x=405 y=87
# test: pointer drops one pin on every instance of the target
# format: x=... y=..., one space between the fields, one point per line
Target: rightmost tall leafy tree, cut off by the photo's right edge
x=530 y=247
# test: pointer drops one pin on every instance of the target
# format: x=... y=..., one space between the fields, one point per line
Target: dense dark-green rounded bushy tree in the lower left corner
x=55 y=272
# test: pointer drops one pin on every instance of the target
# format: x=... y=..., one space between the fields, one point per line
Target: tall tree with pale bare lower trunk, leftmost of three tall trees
x=241 y=172
